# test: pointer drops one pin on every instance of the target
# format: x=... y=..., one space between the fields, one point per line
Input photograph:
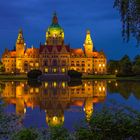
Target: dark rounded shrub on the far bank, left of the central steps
x=33 y=74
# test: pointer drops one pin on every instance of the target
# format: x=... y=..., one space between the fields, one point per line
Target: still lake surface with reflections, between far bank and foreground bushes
x=64 y=103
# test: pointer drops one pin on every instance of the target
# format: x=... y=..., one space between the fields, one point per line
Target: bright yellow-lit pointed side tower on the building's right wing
x=88 y=45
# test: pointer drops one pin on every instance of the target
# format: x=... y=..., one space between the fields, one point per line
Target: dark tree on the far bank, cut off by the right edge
x=136 y=65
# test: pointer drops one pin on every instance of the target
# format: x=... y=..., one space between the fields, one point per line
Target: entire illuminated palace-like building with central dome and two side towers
x=54 y=57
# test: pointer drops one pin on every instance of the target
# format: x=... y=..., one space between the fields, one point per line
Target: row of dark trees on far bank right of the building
x=124 y=66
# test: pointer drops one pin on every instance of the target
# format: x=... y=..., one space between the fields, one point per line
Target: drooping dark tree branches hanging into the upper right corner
x=130 y=17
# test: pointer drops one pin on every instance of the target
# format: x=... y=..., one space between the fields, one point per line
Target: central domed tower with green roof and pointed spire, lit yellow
x=55 y=34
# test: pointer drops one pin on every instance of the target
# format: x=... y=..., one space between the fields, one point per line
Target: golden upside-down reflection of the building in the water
x=55 y=97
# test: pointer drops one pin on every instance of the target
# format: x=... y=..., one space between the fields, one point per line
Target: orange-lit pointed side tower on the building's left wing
x=20 y=44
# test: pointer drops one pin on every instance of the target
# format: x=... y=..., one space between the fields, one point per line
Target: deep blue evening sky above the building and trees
x=75 y=16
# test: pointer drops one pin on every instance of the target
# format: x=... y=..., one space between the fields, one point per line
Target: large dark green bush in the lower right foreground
x=117 y=122
